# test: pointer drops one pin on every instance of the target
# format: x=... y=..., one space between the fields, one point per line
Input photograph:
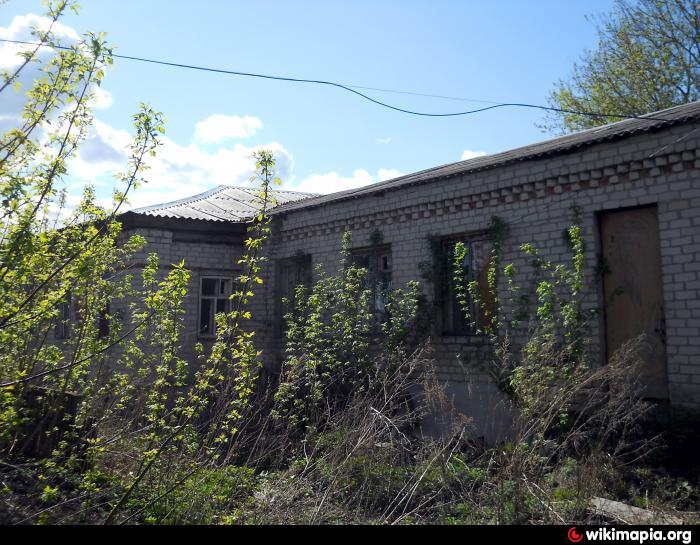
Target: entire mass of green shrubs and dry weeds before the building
x=108 y=424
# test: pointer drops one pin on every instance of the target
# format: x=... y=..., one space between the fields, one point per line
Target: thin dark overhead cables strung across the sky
x=353 y=89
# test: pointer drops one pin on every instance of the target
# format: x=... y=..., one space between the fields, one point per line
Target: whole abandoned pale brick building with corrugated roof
x=633 y=186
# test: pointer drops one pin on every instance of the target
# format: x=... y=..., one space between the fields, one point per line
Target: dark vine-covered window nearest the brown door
x=475 y=268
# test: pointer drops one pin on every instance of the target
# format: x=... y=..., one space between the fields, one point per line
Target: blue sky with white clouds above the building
x=325 y=139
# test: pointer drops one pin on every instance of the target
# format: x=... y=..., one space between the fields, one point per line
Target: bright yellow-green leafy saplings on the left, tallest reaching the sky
x=90 y=372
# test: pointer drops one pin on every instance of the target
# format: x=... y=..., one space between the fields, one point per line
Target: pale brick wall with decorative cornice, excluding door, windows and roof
x=537 y=198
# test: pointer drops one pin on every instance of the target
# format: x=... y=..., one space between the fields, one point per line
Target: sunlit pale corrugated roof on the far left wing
x=223 y=203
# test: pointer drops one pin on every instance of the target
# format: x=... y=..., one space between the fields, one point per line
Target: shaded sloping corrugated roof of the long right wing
x=564 y=144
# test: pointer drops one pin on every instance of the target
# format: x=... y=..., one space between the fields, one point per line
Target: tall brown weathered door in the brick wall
x=633 y=291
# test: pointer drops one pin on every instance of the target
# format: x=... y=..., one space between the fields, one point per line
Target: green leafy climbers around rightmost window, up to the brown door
x=551 y=342
